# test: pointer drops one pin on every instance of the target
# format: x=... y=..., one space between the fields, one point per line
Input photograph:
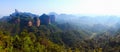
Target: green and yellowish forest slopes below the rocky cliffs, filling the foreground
x=54 y=38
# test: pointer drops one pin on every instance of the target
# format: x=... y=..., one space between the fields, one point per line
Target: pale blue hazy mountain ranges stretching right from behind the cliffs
x=95 y=24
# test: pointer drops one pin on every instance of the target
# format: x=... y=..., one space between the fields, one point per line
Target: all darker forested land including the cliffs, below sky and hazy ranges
x=26 y=32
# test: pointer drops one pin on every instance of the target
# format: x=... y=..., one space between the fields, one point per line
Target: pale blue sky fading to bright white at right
x=85 y=7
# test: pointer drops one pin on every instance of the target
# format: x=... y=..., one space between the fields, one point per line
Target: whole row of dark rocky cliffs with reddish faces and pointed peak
x=28 y=19
